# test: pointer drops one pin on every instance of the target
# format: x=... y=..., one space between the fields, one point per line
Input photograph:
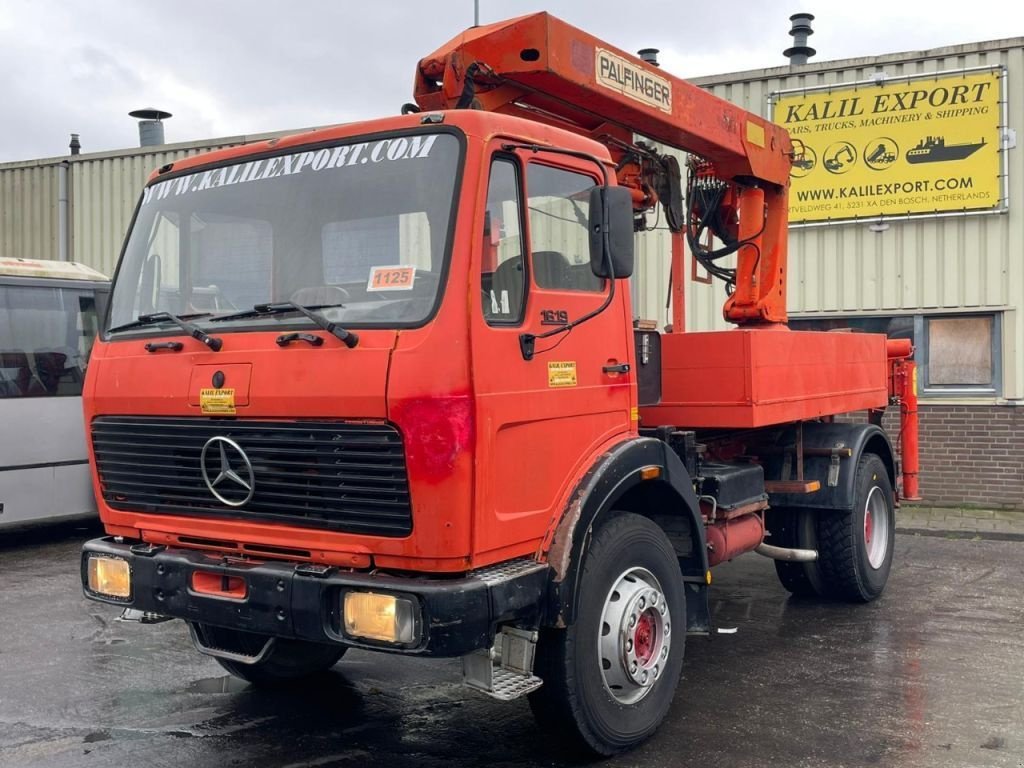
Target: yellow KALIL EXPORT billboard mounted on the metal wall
x=922 y=146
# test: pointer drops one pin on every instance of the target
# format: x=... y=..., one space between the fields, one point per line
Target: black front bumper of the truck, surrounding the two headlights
x=304 y=601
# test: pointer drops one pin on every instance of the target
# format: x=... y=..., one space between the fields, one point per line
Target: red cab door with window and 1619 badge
x=541 y=421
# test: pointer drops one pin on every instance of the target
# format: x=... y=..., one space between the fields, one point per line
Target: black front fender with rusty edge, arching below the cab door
x=615 y=482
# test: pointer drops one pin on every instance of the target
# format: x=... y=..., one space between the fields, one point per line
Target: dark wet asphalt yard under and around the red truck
x=930 y=676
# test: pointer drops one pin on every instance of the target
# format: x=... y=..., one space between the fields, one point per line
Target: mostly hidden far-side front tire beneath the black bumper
x=288 y=662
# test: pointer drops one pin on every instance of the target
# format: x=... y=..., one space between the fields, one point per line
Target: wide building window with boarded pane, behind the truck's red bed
x=958 y=356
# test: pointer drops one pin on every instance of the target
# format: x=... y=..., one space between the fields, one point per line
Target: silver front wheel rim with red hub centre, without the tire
x=635 y=635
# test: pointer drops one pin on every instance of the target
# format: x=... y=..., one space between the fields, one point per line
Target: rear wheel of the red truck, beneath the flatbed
x=856 y=549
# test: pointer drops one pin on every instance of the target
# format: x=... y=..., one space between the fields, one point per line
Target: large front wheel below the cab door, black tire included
x=589 y=691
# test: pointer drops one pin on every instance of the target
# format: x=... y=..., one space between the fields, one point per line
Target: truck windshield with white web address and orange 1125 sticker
x=361 y=228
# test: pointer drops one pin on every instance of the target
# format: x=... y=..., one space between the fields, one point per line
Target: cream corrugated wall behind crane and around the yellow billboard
x=920 y=266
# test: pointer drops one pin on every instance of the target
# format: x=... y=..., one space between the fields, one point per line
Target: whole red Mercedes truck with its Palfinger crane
x=380 y=387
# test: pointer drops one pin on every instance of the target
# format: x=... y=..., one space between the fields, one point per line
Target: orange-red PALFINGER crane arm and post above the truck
x=543 y=69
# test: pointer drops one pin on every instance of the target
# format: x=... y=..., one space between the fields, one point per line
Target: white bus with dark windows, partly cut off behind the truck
x=50 y=317
